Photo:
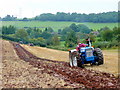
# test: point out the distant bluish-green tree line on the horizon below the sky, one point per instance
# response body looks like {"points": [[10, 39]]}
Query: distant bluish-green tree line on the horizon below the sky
{"points": [[105, 17]]}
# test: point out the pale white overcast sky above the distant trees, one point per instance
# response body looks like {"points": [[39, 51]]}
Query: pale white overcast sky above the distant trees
{"points": [[32, 8]]}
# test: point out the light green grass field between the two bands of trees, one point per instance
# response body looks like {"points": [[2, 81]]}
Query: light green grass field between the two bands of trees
{"points": [[55, 25]]}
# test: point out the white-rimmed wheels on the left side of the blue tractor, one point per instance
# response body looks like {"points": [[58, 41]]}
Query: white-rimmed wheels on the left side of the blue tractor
{"points": [[74, 59]]}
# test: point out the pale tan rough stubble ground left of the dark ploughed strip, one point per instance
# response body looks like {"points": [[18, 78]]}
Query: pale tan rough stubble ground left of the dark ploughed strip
{"points": [[17, 73]]}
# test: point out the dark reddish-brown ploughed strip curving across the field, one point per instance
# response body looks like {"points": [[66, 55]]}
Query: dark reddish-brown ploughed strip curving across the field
{"points": [[73, 75]]}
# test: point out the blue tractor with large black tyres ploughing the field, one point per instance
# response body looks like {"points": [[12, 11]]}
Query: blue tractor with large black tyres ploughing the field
{"points": [[86, 55]]}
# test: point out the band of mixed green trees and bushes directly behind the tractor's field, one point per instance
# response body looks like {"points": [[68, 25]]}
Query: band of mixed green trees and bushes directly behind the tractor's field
{"points": [[103, 38]]}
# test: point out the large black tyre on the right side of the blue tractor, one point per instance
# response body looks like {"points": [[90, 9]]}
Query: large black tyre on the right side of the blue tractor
{"points": [[99, 56]]}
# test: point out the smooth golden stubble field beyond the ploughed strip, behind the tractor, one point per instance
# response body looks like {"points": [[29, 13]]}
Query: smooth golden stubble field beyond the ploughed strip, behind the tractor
{"points": [[110, 58]]}
